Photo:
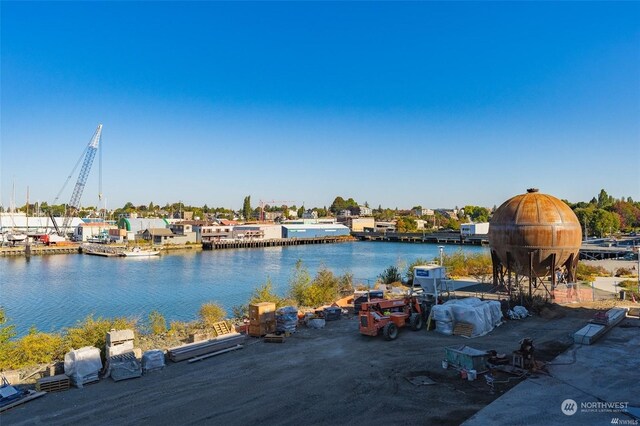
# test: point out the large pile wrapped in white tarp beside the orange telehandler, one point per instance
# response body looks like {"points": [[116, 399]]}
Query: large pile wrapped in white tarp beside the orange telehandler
{"points": [[483, 315]]}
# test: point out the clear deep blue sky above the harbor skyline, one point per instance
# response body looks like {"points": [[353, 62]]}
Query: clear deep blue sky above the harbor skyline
{"points": [[399, 104]]}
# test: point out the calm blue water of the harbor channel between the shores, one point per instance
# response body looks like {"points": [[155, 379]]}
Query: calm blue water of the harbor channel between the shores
{"points": [[56, 291]]}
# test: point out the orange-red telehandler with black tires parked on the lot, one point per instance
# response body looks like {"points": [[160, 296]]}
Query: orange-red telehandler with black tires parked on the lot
{"points": [[389, 316]]}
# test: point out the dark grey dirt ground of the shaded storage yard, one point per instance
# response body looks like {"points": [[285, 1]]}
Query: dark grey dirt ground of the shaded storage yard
{"points": [[328, 376]]}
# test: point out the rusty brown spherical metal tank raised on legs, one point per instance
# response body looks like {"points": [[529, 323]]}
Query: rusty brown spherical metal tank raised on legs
{"points": [[534, 223]]}
